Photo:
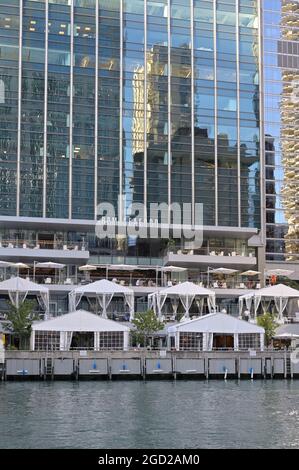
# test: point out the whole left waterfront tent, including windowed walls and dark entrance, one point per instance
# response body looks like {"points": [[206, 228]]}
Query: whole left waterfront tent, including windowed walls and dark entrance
{"points": [[79, 330]]}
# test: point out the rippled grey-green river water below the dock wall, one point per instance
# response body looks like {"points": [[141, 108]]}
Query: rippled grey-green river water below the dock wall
{"points": [[158, 414]]}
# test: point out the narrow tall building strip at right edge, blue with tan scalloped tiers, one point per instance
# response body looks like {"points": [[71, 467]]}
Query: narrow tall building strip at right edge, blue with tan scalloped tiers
{"points": [[281, 103]]}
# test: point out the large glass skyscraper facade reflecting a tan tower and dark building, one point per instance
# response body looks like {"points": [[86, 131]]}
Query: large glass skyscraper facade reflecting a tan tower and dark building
{"points": [[157, 100]]}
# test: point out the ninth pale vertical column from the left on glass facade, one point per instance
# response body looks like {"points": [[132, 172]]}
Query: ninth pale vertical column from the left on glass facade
{"points": [[215, 116]]}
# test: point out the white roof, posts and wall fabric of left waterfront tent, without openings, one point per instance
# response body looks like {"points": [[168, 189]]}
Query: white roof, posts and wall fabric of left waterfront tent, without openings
{"points": [[79, 321]]}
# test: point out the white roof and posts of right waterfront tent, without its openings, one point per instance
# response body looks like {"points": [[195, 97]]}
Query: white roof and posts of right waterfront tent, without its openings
{"points": [[216, 323]]}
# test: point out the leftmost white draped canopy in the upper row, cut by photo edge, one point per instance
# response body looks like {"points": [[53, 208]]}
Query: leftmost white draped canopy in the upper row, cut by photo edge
{"points": [[18, 288]]}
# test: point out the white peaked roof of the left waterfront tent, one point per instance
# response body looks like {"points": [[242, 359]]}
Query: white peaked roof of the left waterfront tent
{"points": [[80, 320]]}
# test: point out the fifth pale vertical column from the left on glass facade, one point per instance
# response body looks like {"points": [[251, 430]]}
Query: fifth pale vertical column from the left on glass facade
{"points": [[121, 80]]}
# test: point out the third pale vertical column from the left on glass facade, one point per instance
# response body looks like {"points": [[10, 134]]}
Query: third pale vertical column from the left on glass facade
{"points": [[71, 112]]}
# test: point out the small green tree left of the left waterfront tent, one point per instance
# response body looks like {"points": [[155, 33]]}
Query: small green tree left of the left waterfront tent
{"points": [[21, 318]]}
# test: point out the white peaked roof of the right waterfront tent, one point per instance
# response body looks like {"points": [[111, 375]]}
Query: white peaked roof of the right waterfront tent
{"points": [[217, 323]]}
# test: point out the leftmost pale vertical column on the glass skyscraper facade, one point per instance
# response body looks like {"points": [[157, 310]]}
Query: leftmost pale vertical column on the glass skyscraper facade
{"points": [[19, 107]]}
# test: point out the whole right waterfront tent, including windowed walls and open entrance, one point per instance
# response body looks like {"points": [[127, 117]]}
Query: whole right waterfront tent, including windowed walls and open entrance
{"points": [[215, 331]]}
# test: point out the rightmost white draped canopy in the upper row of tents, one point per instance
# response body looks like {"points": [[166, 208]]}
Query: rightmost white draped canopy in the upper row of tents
{"points": [[278, 293]]}
